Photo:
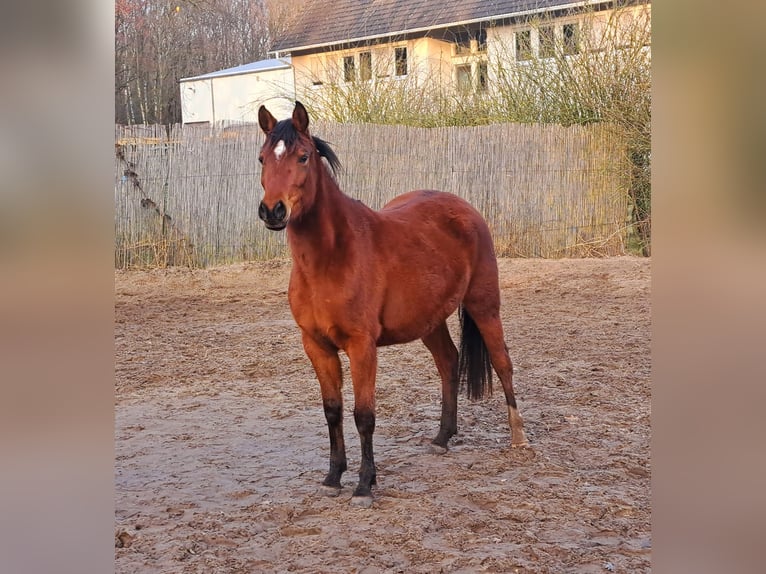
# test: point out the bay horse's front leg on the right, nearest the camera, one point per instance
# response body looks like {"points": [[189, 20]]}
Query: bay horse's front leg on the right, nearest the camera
{"points": [[363, 359]]}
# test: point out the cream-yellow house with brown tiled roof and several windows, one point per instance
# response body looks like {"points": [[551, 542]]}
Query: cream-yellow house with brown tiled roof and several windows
{"points": [[452, 45]]}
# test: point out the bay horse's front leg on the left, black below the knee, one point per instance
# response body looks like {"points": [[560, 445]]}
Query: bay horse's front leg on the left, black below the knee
{"points": [[328, 370]]}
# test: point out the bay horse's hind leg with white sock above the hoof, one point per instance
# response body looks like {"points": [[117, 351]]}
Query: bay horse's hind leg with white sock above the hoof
{"points": [[486, 314]]}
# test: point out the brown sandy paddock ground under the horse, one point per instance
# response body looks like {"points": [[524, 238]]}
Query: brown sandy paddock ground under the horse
{"points": [[221, 442]]}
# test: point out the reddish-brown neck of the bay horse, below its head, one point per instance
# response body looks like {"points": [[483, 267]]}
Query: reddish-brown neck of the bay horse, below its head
{"points": [[327, 228]]}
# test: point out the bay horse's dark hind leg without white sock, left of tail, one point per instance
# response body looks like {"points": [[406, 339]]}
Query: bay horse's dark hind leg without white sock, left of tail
{"points": [[445, 356]]}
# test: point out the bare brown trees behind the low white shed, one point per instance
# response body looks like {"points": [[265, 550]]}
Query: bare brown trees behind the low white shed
{"points": [[158, 42]]}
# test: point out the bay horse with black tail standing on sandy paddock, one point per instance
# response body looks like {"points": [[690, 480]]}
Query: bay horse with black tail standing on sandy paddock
{"points": [[362, 279]]}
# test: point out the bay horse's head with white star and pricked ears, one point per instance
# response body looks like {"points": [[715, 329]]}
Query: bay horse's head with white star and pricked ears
{"points": [[291, 167]]}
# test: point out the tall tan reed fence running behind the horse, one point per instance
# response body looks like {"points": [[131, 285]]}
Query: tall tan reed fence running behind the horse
{"points": [[188, 195]]}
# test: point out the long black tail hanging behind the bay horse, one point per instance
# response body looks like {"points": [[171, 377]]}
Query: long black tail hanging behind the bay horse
{"points": [[474, 368]]}
